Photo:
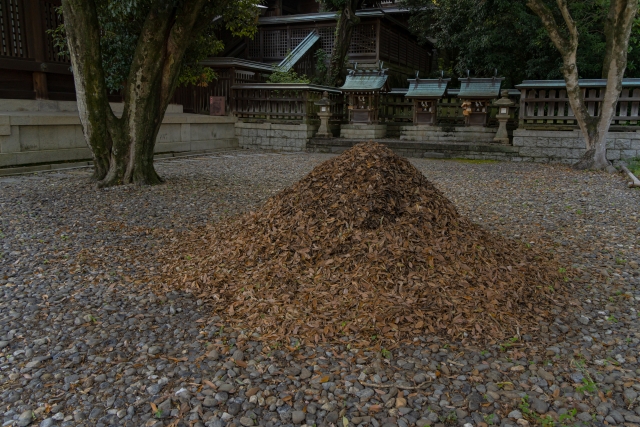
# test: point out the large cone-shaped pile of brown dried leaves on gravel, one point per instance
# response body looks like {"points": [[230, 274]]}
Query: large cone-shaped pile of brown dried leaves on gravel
{"points": [[365, 246]]}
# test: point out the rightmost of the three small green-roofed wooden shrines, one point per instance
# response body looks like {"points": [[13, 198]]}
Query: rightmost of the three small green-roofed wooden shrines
{"points": [[476, 95]]}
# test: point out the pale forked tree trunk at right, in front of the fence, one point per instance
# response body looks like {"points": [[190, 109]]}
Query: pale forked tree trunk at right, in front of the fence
{"points": [[564, 35]]}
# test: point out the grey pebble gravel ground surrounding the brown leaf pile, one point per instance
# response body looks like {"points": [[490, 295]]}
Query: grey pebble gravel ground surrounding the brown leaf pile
{"points": [[83, 342]]}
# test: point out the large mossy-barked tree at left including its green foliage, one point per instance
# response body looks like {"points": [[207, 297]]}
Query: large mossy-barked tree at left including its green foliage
{"points": [[142, 49]]}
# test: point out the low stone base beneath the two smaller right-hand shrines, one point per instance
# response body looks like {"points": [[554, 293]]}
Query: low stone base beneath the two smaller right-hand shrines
{"points": [[439, 134]]}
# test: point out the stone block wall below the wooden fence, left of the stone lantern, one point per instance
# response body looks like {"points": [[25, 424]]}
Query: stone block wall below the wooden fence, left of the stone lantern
{"points": [[274, 136]]}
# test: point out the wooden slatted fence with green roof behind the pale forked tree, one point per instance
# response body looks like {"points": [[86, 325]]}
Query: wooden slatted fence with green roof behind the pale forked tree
{"points": [[544, 104]]}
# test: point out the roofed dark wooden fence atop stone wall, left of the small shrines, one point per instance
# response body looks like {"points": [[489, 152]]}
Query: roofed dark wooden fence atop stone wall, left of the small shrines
{"points": [[283, 102]]}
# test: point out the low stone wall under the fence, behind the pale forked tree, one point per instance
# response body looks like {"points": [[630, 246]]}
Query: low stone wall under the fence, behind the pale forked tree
{"points": [[569, 146]]}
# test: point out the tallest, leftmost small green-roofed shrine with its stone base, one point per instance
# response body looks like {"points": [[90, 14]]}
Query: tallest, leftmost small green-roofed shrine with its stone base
{"points": [[363, 88]]}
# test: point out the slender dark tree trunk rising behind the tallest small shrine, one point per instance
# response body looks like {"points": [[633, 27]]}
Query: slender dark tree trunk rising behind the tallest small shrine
{"points": [[344, 29]]}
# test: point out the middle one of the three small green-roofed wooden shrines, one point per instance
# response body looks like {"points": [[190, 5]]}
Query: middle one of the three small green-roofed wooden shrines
{"points": [[425, 94]]}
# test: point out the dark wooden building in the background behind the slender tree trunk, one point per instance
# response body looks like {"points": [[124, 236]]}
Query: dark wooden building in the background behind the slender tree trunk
{"points": [[382, 35]]}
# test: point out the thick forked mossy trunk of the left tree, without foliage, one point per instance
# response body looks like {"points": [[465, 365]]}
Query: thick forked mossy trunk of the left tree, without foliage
{"points": [[123, 147]]}
